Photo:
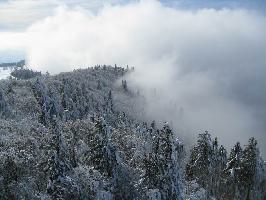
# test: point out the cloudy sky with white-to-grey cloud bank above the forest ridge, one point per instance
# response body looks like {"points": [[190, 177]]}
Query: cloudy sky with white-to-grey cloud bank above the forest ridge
{"points": [[199, 64]]}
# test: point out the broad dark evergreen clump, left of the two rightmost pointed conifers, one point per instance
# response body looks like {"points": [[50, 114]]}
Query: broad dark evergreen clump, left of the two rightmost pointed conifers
{"points": [[206, 165]]}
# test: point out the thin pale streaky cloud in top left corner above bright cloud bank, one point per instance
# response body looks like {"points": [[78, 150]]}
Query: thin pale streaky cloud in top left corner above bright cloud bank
{"points": [[18, 14]]}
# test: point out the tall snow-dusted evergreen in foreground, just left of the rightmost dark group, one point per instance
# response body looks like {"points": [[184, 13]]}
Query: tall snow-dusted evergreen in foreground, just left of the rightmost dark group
{"points": [[162, 170]]}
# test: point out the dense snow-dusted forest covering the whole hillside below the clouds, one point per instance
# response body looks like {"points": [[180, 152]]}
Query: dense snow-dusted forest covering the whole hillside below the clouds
{"points": [[73, 136]]}
